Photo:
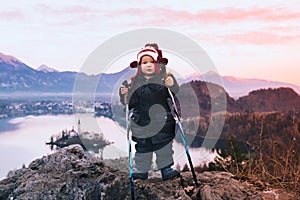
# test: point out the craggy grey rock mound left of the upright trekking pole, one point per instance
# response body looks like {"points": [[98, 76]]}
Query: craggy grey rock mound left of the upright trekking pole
{"points": [[66, 174]]}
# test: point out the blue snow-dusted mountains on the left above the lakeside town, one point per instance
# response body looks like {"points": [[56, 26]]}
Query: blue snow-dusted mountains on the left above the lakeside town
{"points": [[16, 76]]}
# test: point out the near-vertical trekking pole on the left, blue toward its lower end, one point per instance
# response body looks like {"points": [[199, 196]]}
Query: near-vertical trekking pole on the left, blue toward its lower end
{"points": [[125, 83]]}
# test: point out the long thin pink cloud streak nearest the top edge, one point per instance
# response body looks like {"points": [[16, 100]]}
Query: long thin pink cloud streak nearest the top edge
{"points": [[224, 15]]}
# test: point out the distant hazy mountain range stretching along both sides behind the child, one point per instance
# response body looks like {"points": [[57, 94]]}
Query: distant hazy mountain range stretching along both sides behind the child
{"points": [[16, 76]]}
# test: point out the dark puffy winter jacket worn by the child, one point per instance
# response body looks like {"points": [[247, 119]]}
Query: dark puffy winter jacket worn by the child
{"points": [[144, 94]]}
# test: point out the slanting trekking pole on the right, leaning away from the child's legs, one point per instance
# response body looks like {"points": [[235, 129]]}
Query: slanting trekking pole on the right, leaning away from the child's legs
{"points": [[177, 118]]}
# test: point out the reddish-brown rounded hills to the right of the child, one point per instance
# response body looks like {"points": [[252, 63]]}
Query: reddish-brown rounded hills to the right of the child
{"points": [[209, 95]]}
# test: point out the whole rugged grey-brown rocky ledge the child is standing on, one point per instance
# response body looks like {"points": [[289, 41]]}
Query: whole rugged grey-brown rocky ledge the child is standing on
{"points": [[73, 174]]}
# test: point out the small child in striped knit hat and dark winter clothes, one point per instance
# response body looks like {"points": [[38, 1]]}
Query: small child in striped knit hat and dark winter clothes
{"points": [[152, 124]]}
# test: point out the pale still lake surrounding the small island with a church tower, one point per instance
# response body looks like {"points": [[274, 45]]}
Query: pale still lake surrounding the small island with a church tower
{"points": [[23, 139]]}
